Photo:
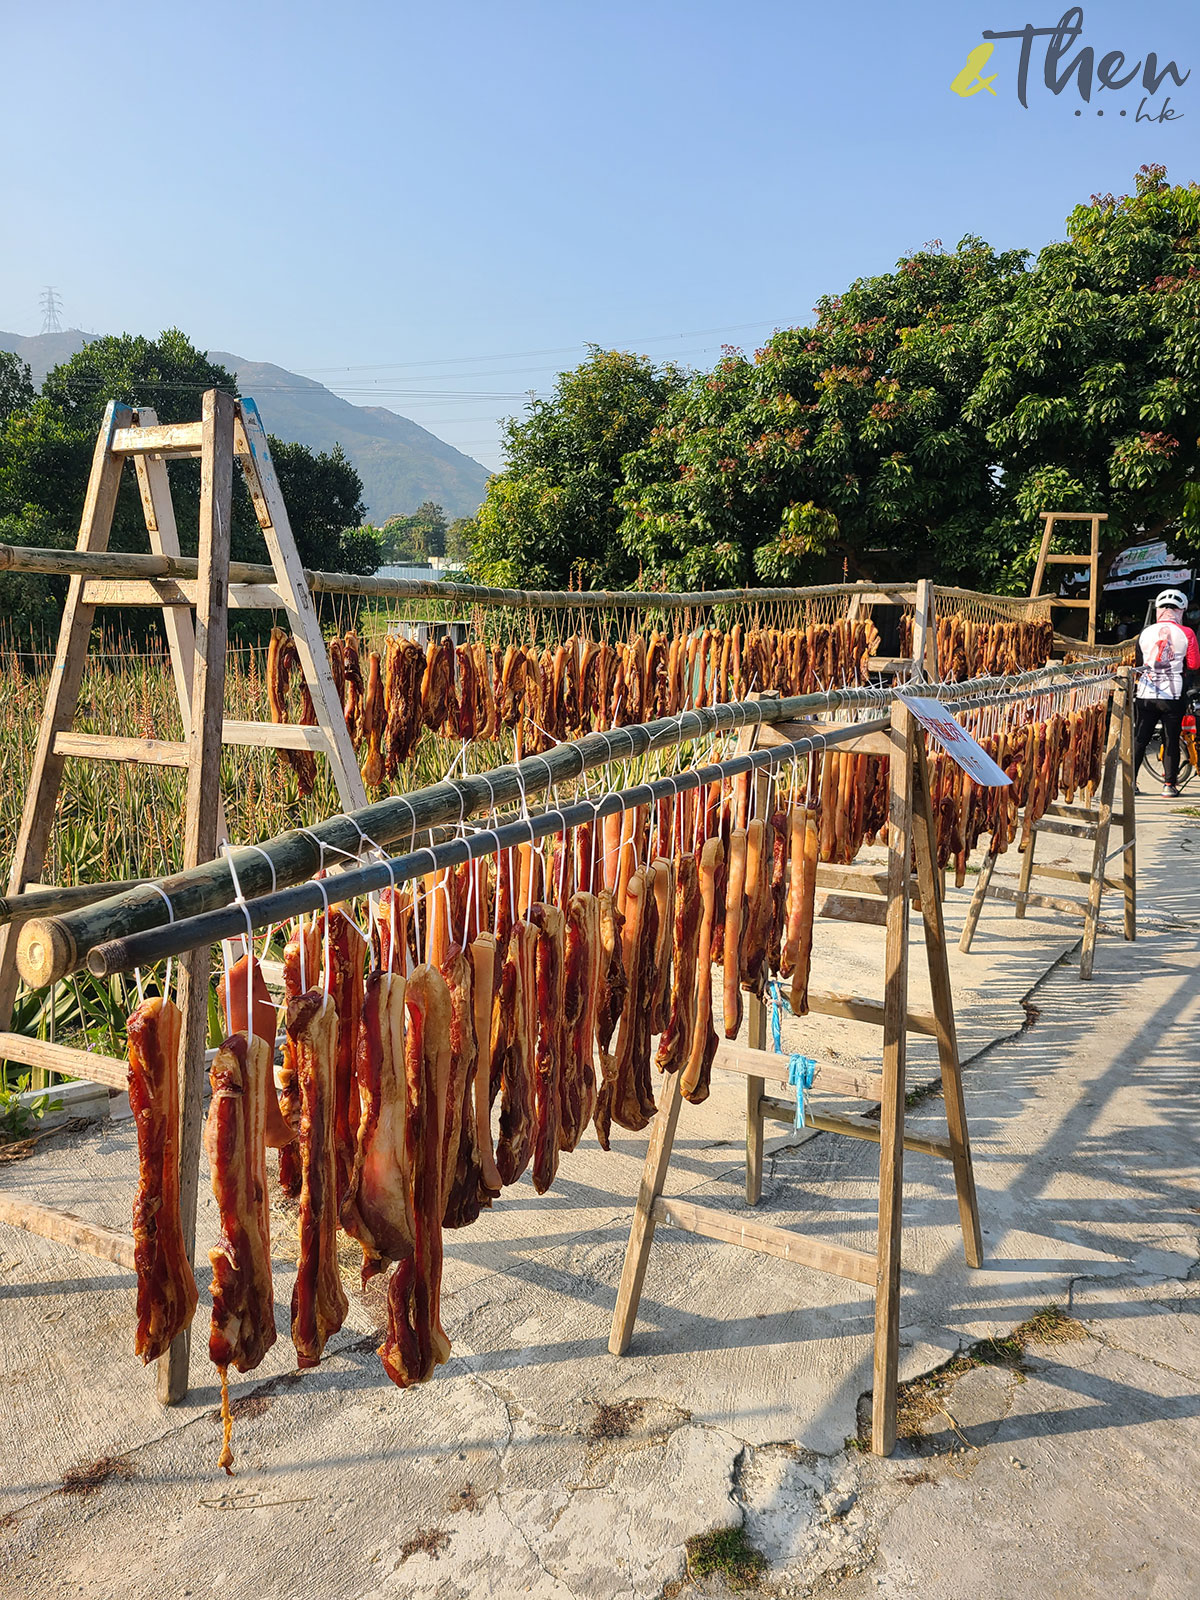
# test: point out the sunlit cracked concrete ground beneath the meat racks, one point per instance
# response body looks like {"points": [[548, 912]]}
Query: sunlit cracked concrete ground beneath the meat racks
{"points": [[1058, 1463]]}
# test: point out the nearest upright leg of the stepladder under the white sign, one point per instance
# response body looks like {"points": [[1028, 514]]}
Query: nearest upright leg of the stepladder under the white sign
{"points": [[892, 1121]]}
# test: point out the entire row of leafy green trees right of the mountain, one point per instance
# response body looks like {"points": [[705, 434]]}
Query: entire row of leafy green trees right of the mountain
{"points": [[916, 426]]}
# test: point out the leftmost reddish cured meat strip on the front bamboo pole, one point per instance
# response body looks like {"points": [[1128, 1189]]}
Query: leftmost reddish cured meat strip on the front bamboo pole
{"points": [[167, 1295]]}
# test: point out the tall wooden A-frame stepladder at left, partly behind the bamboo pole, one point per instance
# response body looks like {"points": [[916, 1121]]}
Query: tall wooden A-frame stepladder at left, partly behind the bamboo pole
{"points": [[230, 431]]}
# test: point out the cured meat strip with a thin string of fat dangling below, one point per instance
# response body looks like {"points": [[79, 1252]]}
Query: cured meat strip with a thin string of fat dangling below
{"points": [[244, 1298]]}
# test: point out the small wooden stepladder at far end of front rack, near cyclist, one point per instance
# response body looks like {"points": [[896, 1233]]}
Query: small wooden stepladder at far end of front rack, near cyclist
{"points": [[1082, 822]]}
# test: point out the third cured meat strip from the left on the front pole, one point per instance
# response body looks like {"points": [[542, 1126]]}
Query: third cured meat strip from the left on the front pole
{"points": [[318, 1298]]}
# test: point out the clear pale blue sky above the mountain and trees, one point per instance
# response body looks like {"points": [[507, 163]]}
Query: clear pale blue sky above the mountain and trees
{"points": [[436, 207]]}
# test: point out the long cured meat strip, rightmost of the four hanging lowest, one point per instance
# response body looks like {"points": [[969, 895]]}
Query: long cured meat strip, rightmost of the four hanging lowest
{"points": [[417, 1343]]}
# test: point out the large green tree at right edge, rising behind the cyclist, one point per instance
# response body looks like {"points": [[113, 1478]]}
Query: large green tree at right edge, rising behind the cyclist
{"points": [[1090, 394]]}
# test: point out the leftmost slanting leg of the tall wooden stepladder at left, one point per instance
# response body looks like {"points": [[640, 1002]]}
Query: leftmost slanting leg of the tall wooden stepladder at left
{"points": [[46, 775]]}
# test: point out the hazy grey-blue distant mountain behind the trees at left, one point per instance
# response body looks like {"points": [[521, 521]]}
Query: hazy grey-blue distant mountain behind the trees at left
{"points": [[401, 463]]}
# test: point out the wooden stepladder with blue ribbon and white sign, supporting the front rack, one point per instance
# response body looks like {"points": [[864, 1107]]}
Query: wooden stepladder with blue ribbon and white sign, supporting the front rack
{"points": [[911, 836]]}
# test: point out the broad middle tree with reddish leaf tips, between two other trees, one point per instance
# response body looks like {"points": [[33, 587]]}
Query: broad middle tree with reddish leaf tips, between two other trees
{"points": [[839, 444]]}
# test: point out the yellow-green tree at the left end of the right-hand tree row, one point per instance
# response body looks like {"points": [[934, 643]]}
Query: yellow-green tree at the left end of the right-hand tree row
{"points": [[551, 518]]}
